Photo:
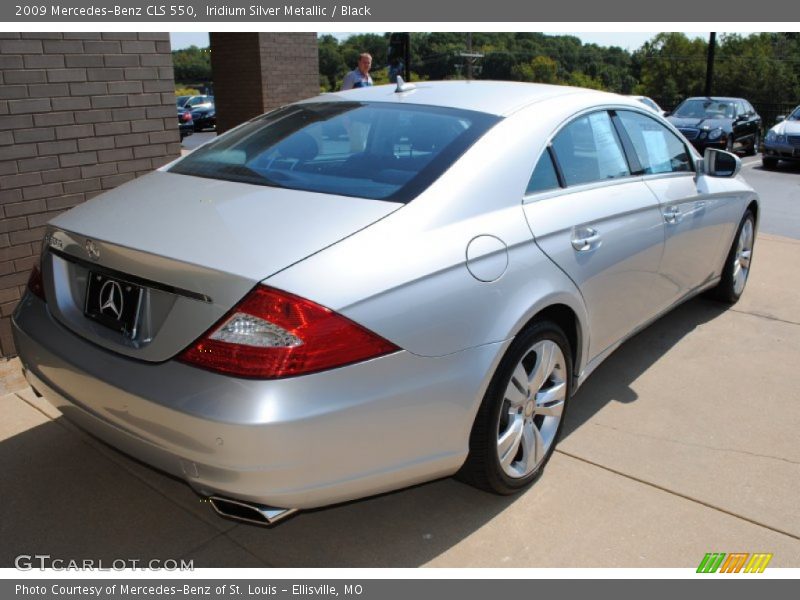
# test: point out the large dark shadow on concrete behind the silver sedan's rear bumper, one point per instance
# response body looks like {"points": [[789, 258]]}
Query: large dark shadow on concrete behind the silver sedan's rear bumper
{"points": [[72, 497]]}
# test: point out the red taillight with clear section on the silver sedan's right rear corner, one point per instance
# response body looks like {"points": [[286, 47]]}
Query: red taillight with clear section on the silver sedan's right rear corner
{"points": [[273, 334]]}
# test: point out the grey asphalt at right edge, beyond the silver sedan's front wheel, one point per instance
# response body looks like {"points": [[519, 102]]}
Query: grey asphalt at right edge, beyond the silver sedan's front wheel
{"points": [[780, 196]]}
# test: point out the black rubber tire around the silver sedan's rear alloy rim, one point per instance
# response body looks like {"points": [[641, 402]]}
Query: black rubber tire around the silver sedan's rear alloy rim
{"points": [[482, 468]]}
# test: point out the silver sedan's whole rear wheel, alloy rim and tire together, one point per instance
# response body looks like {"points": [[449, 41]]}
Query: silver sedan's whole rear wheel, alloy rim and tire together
{"points": [[519, 422]]}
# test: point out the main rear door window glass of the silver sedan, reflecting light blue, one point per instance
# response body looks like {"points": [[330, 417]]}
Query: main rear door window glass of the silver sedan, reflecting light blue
{"points": [[588, 150]]}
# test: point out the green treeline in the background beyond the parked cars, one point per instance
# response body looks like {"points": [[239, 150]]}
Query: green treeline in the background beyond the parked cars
{"points": [[761, 67]]}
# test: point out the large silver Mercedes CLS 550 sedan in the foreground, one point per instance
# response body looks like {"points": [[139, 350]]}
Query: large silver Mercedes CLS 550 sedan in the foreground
{"points": [[375, 288]]}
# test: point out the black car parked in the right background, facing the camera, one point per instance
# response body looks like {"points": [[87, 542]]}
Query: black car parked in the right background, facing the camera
{"points": [[728, 123]]}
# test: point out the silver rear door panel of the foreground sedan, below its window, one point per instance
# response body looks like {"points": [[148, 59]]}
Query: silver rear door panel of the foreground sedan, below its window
{"points": [[618, 274]]}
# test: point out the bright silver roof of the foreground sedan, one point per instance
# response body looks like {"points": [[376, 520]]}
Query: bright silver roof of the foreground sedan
{"points": [[495, 97]]}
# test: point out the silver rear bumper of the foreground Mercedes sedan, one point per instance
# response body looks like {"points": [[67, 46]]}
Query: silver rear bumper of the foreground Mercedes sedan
{"points": [[295, 443]]}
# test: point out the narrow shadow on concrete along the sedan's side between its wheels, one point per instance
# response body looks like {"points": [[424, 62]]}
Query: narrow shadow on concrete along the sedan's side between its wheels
{"points": [[611, 381]]}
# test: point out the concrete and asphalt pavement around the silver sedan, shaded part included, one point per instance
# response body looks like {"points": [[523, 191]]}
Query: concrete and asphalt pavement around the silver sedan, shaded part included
{"points": [[683, 442]]}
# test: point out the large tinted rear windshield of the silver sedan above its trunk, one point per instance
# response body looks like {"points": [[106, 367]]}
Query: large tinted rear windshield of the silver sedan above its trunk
{"points": [[380, 151]]}
